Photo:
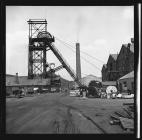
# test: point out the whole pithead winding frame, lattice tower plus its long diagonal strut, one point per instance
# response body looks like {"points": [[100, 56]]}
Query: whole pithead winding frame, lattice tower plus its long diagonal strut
{"points": [[40, 41]]}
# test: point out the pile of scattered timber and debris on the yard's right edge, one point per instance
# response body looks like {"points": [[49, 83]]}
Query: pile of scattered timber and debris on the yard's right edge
{"points": [[124, 118]]}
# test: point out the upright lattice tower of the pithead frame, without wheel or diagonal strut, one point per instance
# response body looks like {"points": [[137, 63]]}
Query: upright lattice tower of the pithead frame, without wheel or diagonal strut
{"points": [[37, 49]]}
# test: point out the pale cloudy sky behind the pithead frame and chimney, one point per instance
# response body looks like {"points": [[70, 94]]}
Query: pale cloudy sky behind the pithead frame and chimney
{"points": [[100, 30]]}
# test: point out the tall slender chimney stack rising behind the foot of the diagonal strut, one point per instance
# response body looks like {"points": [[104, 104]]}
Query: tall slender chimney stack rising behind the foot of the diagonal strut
{"points": [[78, 65]]}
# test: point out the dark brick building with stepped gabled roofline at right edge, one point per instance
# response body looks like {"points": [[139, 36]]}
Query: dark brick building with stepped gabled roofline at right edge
{"points": [[120, 64]]}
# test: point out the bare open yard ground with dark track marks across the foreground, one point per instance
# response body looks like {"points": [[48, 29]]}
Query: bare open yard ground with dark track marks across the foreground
{"points": [[59, 113]]}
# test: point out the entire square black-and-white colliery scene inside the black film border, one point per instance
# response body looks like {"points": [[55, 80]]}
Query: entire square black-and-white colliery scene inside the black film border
{"points": [[70, 70]]}
